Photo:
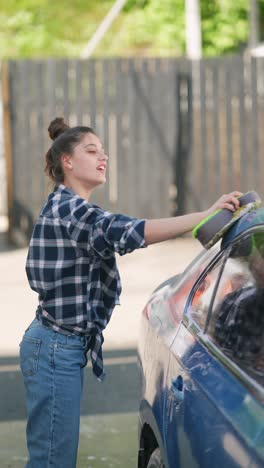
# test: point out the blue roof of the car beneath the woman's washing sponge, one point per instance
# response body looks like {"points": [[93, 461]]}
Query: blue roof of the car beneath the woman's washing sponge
{"points": [[246, 222]]}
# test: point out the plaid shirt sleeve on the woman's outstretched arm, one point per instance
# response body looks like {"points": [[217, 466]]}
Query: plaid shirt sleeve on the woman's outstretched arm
{"points": [[105, 232]]}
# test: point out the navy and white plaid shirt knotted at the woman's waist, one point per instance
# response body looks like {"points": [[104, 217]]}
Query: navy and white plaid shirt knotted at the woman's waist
{"points": [[71, 264]]}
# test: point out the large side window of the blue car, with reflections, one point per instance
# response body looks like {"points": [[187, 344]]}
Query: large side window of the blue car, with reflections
{"points": [[237, 318]]}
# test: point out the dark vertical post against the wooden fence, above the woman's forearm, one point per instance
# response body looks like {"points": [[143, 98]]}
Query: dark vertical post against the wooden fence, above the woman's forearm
{"points": [[184, 138]]}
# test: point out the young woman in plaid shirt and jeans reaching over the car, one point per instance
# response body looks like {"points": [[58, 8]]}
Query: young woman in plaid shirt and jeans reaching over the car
{"points": [[71, 265]]}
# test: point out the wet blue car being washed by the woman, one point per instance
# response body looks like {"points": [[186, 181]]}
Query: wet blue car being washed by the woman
{"points": [[201, 355]]}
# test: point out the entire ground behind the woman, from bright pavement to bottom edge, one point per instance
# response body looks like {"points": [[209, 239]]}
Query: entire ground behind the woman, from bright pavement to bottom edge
{"points": [[109, 410]]}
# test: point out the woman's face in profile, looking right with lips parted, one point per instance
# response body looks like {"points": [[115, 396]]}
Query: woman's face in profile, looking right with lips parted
{"points": [[88, 162]]}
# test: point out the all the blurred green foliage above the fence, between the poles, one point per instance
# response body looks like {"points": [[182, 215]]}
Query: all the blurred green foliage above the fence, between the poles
{"points": [[37, 28]]}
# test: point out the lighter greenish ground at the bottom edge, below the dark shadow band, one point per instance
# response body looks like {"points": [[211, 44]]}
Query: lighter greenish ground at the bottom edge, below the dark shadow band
{"points": [[106, 441]]}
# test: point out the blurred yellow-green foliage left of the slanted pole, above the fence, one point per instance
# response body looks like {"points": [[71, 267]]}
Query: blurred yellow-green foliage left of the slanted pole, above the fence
{"points": [[31, 28]]}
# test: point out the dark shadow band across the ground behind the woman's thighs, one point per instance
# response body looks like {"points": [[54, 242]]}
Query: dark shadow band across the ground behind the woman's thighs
{"points": [[119, 393]]}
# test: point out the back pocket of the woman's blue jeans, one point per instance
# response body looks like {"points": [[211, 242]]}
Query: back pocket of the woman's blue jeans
{"points": [[29, 355]]}
